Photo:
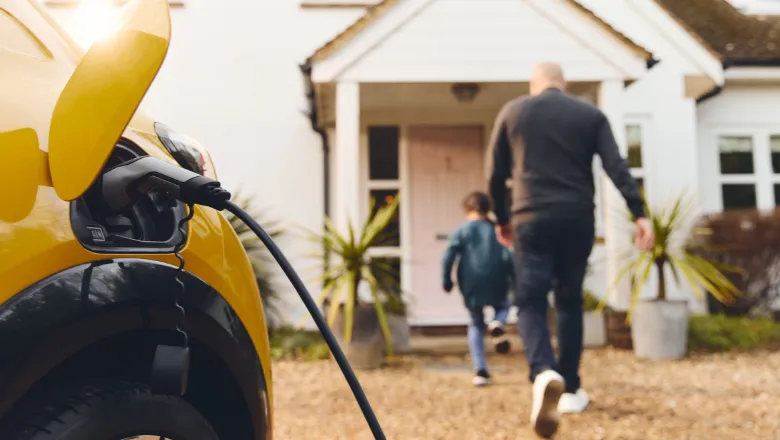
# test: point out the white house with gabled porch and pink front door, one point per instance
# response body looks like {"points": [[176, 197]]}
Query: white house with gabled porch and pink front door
{"points": [[316, 106]]}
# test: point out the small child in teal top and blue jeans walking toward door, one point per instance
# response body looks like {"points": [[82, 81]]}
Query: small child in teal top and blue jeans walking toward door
{"points": [[484, 273]]}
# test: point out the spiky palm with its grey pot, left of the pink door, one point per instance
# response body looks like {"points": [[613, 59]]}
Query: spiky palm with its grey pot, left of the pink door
{"points": [[360, 325]]}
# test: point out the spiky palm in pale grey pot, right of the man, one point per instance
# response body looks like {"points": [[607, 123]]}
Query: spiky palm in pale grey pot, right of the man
{"points": [[659, 327]]}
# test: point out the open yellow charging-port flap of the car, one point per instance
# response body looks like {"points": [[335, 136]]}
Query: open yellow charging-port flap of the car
{"points": [[103, 93]]}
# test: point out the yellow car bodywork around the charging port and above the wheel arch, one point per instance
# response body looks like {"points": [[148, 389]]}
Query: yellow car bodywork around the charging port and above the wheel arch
{"points": [[36, 236]]}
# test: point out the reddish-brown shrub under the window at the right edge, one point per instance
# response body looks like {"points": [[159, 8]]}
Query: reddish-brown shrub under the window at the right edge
{"points": [[750, 240]]}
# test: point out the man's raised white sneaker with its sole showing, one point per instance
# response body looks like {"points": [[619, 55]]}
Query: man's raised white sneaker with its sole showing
{"points": [[548, 387]]}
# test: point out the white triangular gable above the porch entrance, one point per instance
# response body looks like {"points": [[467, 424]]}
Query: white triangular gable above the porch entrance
{"points": [[476, 40]]}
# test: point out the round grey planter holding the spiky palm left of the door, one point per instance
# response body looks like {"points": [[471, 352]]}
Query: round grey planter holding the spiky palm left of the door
{"points": [[366, 350]]}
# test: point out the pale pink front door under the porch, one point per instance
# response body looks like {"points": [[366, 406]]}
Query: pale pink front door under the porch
{"points": [[446, 163]]}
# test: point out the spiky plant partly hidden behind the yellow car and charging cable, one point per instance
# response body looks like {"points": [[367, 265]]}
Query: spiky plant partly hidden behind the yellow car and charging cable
{"points": [[262, 261]]}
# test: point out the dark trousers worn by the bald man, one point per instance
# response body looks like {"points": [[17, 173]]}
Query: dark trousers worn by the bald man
{"points": [[552, 253]]}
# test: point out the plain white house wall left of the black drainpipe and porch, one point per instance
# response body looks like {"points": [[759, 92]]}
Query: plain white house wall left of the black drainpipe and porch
{"points": [[231, 80]]}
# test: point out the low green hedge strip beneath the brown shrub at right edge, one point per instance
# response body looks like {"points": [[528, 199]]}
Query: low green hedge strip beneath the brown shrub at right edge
{"points": [[724, 333]]}
